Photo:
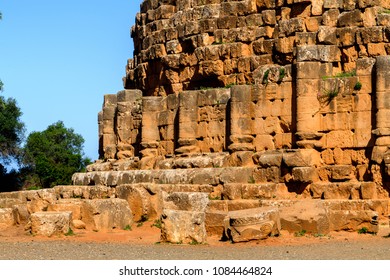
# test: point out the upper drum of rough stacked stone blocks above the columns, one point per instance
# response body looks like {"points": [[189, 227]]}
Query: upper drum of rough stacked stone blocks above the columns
{"points": [[184, 45]]}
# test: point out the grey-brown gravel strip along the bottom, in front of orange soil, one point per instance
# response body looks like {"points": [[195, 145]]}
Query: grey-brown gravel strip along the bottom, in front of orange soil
{"points": [[67, 250]]}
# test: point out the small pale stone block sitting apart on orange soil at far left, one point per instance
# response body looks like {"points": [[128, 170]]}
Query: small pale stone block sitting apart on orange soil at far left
{"points": [[50, 223]]}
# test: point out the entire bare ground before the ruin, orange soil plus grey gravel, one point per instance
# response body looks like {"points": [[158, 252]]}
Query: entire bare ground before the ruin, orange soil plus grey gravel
{"points": [[143, 243]]}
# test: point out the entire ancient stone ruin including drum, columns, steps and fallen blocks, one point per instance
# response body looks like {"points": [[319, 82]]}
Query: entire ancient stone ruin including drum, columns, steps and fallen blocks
{"points": [[240, 119]]}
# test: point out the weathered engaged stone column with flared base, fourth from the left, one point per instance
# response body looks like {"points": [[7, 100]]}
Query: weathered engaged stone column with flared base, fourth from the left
{"points": [[188, 122]]}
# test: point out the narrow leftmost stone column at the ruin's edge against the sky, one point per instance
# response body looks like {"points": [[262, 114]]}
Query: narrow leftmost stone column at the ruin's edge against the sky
{"points": [[108, 140]]}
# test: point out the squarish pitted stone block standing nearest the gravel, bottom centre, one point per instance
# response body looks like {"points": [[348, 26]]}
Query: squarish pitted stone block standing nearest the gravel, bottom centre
{"points": [[183, 226]]}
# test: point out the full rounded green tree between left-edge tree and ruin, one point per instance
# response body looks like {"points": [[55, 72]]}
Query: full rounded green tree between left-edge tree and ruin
{"points": [[54, 155]]}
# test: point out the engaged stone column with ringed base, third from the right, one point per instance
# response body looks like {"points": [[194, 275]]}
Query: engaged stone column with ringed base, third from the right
{"points": [[241, 137]]}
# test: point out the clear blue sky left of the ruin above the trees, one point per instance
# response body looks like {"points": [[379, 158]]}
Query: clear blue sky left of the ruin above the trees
{"points": [[58, 59]]}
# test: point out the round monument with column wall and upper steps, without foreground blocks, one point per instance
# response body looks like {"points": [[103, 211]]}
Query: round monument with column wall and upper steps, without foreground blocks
{"points": [[294, 92]]}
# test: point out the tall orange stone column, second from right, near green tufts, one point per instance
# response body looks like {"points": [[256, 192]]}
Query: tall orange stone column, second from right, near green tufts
{"points": [[308, 86]]}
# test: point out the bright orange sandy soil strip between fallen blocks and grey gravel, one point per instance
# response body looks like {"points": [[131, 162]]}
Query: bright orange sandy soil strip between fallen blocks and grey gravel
{"points": [[147, 234]]}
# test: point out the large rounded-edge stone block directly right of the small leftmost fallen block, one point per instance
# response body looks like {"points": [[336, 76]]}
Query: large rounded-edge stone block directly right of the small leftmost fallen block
{"points": [[106, 214]]}
